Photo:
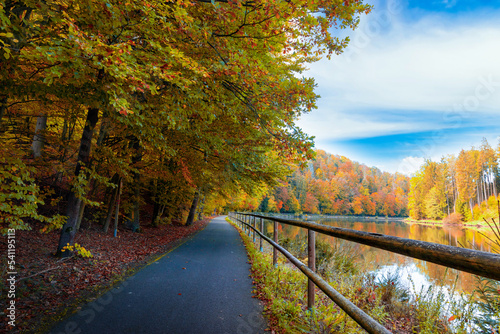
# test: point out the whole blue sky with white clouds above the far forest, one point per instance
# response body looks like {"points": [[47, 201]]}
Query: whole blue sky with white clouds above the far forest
{"points": [[419, 80]]}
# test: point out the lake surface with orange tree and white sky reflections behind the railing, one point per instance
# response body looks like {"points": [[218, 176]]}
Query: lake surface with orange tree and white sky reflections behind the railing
{"points": [[422, 273]]}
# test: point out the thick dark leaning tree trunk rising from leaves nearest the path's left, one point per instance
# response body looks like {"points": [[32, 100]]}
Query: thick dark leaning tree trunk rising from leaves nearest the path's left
{"points": [[73, 207]]}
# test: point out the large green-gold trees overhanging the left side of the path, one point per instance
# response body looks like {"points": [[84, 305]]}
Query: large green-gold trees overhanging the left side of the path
{"points": [[171, 99]]}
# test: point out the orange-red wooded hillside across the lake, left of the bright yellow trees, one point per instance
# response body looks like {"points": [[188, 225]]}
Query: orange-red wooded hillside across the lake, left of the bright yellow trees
{"points": [[333, 185]]}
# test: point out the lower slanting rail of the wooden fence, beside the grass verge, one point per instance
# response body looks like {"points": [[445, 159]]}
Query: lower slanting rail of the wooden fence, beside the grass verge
{"points": [[357, 314]]}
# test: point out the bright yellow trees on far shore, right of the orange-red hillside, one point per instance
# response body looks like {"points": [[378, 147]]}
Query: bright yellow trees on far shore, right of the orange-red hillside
{"points": [[462, 187]]}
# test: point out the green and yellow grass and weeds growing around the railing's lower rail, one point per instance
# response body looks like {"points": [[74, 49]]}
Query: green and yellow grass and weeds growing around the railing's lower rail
{"points": [[283, 290]]}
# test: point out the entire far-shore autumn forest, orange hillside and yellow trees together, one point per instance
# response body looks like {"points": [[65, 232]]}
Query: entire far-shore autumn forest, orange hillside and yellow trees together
{"points": [[457, 189]]}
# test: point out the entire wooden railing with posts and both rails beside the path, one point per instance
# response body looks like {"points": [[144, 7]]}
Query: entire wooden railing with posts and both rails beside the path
{"points": [[476, 262]]}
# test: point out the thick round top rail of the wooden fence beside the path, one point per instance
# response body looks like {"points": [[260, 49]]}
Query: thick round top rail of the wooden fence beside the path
{"points": [[472, 261]]}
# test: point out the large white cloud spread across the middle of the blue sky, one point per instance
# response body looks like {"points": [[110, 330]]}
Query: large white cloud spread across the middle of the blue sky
{"points": [[435, 64]]}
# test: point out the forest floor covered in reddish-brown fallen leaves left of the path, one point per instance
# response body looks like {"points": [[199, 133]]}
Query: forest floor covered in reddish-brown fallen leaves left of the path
{"points": [[47, 288]]}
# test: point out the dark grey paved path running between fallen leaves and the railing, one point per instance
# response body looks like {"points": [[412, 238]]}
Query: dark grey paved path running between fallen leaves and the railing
{"points": [[202, 287]]}
